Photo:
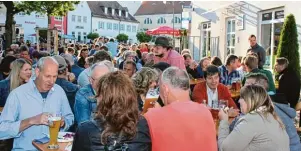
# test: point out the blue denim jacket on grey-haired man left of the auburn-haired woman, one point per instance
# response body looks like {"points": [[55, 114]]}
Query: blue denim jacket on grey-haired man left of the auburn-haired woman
{"points": [[85, 104]]}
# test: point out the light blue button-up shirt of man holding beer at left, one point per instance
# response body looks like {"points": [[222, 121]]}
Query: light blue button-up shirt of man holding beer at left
{"points": [[25, 102]]}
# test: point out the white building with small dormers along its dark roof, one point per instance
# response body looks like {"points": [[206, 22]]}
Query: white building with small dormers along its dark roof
{"points": [[109, 19]]}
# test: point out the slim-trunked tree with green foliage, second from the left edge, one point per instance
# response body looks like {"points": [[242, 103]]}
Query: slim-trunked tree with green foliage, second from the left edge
{"points": [[51, 8]]}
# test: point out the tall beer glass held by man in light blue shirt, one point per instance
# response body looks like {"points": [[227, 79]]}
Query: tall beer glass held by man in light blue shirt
{"points": [[54, 123]]}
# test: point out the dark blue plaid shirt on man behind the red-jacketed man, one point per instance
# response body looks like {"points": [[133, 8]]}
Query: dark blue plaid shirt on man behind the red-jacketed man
{"points": [[228, 79]]}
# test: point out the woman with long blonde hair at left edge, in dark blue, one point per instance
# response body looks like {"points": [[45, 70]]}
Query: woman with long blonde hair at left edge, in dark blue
{"points": [[20, 74]]}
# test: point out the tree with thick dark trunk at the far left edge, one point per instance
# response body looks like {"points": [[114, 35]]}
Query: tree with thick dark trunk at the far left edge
{"points": [[12, 8]]}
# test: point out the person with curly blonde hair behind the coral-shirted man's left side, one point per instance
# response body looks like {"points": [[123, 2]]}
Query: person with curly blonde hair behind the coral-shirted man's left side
{"points": [[145, 80]]}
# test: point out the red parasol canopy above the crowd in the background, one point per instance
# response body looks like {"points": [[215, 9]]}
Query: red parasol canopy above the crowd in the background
{"points": [[163, 30]]}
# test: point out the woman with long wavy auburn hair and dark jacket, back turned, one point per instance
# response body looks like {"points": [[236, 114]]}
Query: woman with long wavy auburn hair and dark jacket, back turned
{"points": [[117, 124]]}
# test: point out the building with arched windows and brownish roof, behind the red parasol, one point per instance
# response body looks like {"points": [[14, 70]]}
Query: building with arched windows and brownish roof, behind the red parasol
{"points": [[153, 14]]}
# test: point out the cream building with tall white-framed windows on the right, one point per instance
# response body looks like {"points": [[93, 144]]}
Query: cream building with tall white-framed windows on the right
{"points": [[224, 27]]}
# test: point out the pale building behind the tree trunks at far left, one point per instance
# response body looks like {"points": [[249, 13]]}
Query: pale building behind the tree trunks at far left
{"points": [[25, 24]]}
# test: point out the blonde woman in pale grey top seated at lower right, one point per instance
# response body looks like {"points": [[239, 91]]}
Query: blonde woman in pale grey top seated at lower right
{"points": [[259, 130]]}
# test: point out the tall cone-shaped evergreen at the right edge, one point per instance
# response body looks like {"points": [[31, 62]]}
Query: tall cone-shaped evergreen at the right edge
{"points": [[288, 43]]}
